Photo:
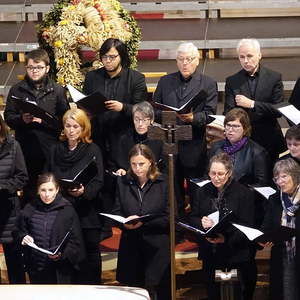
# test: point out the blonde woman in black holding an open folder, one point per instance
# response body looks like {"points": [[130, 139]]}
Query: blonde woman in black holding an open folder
{"points": [[65, 160]]}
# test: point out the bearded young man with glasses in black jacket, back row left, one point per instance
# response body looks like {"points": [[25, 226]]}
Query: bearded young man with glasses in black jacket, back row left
{"points": [[34, 135]]}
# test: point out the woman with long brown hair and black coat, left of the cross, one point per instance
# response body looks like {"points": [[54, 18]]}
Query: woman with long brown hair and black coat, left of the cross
{"points": [[144, 257]]}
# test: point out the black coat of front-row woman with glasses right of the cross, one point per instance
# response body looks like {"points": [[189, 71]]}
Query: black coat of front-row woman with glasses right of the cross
{"points": [[237, 248]]}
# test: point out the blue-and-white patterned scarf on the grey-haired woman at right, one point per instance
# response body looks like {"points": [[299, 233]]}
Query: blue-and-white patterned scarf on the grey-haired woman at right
{"points": [[290, 206]]}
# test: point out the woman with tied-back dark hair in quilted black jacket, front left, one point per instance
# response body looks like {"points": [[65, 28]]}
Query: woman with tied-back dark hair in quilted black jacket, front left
{"points": [[46, 221]]}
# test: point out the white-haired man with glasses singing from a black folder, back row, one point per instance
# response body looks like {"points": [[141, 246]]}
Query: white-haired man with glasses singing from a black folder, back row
{"points": [[175, 90]]}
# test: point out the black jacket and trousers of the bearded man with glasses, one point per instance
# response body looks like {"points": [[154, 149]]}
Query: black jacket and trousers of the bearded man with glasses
{"points": [[35, 139]]}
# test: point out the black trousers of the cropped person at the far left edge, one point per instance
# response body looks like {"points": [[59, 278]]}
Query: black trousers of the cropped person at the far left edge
{"points": [[14, 263]]}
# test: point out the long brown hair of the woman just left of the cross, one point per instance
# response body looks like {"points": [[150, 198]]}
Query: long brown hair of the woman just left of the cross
{"points": [[141, 149]]}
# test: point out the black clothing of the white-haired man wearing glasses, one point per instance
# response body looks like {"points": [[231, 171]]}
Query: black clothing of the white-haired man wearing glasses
{"points": [[193, 152]]}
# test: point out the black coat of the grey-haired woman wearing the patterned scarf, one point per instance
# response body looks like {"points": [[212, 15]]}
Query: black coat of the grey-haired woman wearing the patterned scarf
{"points": [[272, 221]]}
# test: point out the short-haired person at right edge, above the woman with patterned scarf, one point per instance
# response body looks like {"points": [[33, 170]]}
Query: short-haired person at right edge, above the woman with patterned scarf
{"points": [[292, 138]]}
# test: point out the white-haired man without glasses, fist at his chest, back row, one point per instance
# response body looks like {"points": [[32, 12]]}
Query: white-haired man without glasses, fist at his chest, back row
{"points": [[257, 89]]}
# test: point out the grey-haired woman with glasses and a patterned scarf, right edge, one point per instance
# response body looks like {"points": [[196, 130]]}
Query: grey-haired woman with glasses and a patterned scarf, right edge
{"points": [[284, 210]]}
